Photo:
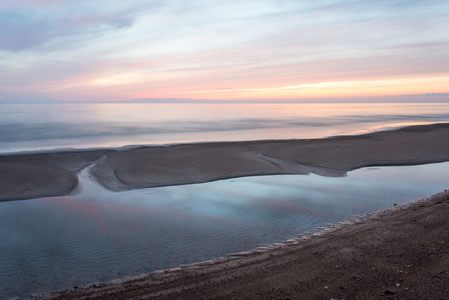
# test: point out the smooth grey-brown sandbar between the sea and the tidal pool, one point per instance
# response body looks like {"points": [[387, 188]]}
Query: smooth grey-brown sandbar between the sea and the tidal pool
{"points": [[26, 176]]}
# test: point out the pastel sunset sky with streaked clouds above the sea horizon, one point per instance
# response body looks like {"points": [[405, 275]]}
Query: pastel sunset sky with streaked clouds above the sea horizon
{"points": [[245, 50]]}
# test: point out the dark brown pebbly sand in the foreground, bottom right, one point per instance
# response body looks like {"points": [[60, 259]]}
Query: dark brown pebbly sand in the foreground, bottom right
{"points": [[391, 254]]}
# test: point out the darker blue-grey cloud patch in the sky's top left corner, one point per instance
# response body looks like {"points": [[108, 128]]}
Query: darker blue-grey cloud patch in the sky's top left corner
{"points": [[27, 24]]}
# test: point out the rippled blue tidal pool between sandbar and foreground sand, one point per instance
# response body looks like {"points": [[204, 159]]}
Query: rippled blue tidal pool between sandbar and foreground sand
{"points": [[98, 235]]}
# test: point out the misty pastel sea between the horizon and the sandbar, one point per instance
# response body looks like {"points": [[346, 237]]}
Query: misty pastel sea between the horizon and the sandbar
{"points": [[25, 127]]}
